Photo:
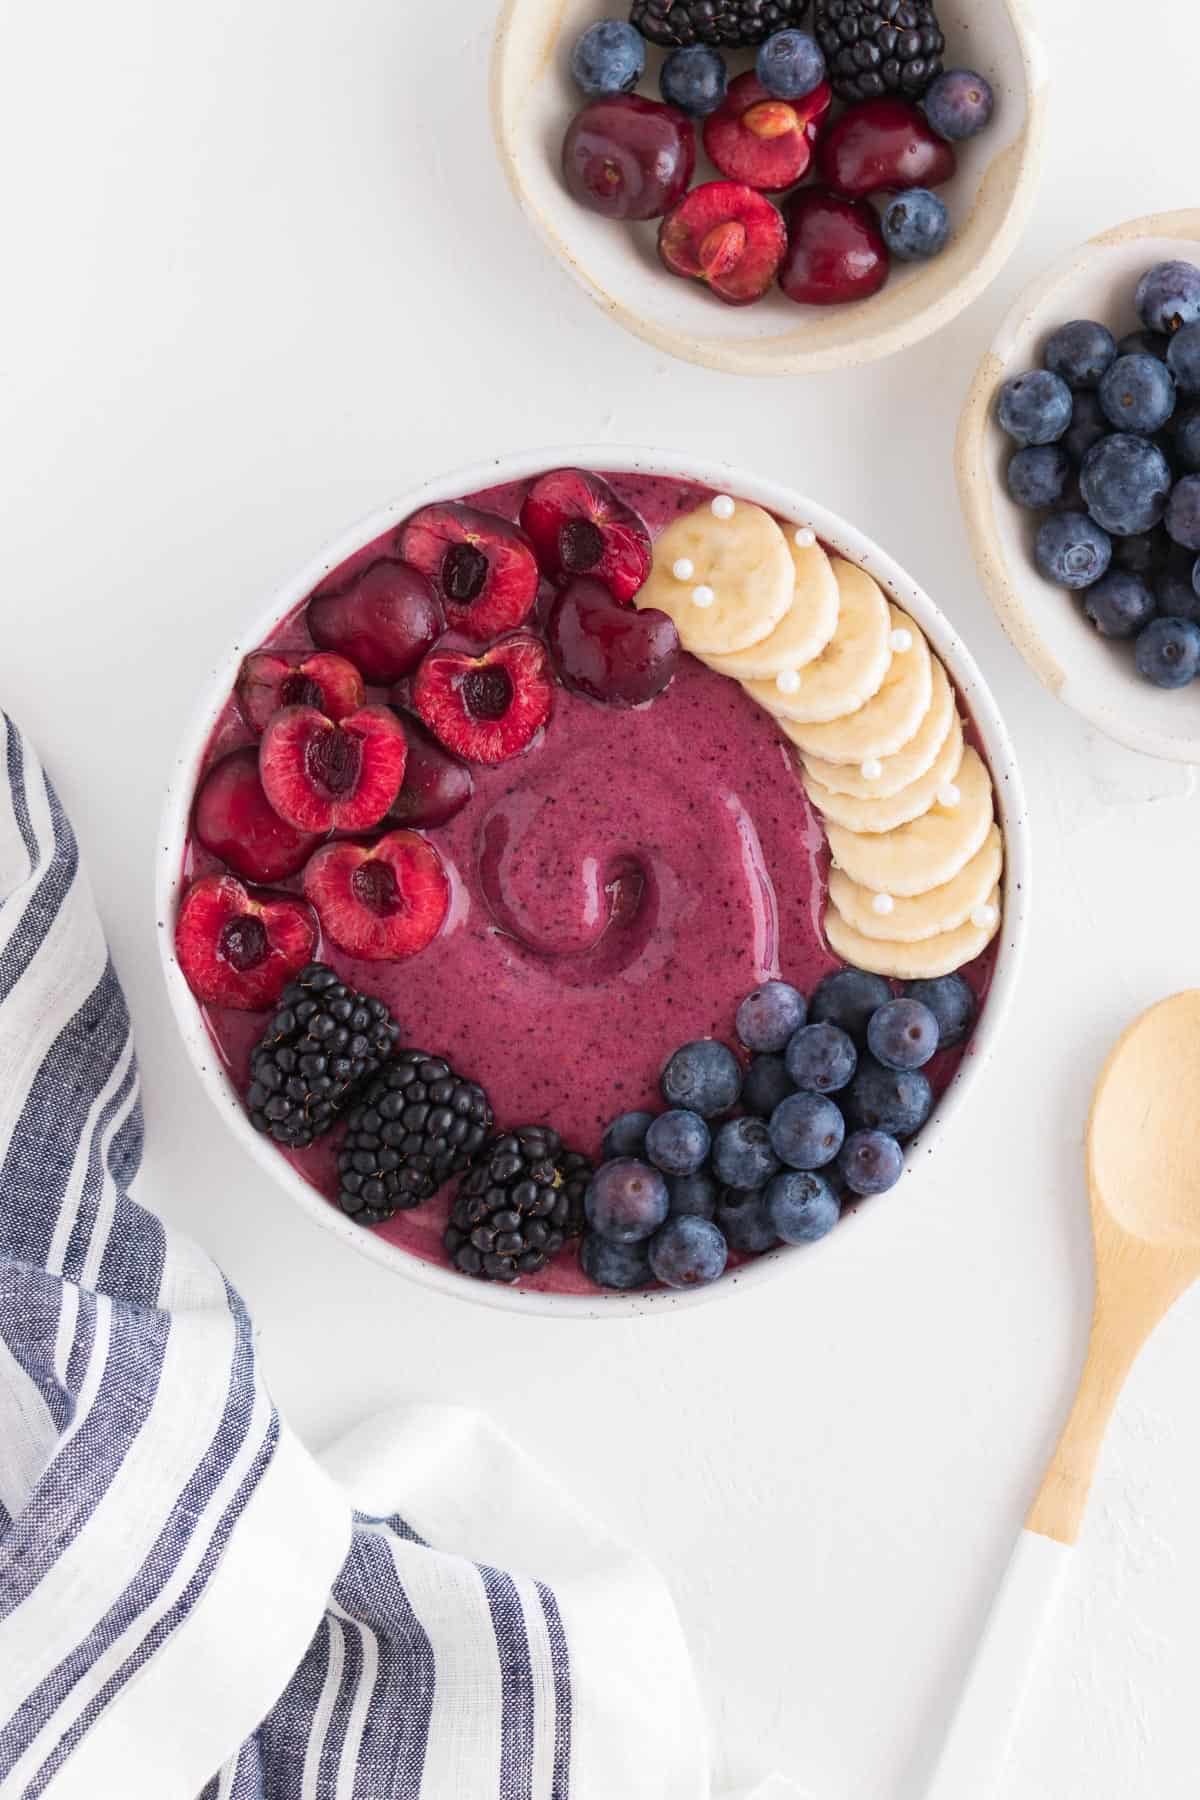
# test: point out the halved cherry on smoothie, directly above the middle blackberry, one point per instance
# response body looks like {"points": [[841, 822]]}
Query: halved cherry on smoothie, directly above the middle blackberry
{"points": [[381, 903]]}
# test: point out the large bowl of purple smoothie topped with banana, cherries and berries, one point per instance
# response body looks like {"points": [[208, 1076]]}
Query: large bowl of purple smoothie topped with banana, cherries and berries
{"points": [[591, 877]]}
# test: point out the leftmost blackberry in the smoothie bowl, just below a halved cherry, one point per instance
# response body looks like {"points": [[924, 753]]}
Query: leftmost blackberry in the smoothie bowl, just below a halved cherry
{"points": [[321, 1045]]}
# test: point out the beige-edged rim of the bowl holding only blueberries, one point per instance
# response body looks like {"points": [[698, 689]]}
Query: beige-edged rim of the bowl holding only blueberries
{"points": [[978, 492]]}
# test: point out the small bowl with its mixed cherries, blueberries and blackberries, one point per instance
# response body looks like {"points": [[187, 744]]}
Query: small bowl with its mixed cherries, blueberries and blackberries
{"points": [[775, 184]]}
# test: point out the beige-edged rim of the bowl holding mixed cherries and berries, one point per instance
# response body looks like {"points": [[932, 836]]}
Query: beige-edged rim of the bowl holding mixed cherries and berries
{"points": [[764, 357]]}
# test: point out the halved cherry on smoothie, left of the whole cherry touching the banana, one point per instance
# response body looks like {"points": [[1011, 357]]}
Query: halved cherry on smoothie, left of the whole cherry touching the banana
{"points": [[487, 708]]}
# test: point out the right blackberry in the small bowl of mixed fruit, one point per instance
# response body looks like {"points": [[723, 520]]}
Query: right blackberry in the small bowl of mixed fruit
{"points": [[881, 48]]}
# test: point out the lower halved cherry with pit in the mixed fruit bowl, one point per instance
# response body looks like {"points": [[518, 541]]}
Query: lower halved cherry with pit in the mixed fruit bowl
{"points": [[726, 235]]}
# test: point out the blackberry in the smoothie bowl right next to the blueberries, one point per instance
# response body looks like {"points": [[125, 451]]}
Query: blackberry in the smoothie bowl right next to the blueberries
{"points": [[517, 1207]]}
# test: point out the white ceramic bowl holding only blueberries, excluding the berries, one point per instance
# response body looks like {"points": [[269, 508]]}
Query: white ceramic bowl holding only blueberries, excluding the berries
{"points": [[1046, 624]]}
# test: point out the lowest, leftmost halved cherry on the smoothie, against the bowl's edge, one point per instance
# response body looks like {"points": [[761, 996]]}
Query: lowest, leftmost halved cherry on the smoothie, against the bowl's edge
{"points": [[242, 949]]}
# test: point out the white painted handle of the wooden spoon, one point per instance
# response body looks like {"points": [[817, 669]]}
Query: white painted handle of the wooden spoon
{"points": [[992, 1700]]}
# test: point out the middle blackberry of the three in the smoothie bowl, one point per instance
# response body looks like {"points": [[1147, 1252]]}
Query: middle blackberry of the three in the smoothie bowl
{"points": [[415, 1128]]}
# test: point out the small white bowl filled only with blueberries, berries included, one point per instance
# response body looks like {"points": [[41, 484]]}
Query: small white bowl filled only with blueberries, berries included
{"points": [[1080, 481]]}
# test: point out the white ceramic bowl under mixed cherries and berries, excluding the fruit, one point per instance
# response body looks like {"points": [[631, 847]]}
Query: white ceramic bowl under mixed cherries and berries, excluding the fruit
{"points": [[533, 102]]}
